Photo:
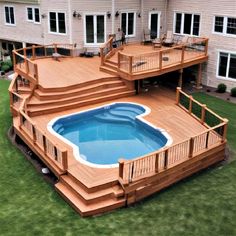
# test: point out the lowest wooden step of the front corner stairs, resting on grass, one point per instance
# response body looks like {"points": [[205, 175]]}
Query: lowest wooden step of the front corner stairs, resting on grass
{"points": [[91, 209]]}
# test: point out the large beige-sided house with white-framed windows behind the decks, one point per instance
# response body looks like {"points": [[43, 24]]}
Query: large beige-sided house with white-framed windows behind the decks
{"points": [[44, 22]]}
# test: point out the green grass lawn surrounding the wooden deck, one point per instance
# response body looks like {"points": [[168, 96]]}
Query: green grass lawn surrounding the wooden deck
{"points": [[204, 204]]}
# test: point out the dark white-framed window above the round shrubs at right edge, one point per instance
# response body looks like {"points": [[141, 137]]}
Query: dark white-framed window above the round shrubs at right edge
{"points": [[227, 65]]}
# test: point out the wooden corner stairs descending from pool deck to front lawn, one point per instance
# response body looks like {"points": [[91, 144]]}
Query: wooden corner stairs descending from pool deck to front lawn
{"points": [[89, 201]]}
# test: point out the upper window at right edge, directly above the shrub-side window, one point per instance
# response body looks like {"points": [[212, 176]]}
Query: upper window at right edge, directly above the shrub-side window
{"points": [[225, 25]]}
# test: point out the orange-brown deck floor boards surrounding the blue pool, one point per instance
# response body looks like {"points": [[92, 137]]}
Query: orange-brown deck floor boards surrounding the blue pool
{"points": [[164, 114]]}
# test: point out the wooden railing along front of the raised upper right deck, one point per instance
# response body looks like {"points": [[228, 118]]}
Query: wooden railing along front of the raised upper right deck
{"points": [[162, 59]]}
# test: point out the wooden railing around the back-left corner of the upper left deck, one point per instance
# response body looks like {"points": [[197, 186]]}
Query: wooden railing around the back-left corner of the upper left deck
{"points": [[23, 58]]}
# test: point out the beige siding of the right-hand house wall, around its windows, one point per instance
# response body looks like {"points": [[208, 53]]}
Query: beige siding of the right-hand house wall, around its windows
{"points": [[207, 10]]}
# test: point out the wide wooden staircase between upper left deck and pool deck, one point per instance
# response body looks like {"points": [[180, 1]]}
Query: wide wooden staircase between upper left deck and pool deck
{"points": [[48, 100]]}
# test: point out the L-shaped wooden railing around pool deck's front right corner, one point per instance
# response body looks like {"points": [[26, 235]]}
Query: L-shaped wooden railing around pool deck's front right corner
{"points": [[163, 159]]}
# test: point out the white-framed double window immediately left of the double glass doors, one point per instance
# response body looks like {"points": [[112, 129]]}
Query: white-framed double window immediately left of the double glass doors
{"points": [[57, 22]]}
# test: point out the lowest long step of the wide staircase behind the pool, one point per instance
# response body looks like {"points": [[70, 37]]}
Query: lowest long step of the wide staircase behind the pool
{"points": [[34, 111]]}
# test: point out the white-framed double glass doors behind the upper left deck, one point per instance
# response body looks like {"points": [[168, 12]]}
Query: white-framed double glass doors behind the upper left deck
{"points": [[94, 29]]}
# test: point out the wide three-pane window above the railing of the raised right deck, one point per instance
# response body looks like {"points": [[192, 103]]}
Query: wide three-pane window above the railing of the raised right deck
{"points": [[187, 23]]}
